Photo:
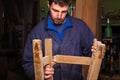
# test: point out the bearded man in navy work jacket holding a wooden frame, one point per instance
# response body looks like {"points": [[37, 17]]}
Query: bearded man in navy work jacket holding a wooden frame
{"points": [[70, 36]]}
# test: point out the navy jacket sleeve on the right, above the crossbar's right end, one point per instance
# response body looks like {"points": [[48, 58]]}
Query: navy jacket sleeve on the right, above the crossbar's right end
{"points": [[87, 40]]}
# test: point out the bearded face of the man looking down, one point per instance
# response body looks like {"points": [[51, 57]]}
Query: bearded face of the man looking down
{"points": [[58, 13]]}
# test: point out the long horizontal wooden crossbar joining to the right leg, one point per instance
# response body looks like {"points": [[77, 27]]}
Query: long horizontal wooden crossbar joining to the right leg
{"points": [[72, 59]]}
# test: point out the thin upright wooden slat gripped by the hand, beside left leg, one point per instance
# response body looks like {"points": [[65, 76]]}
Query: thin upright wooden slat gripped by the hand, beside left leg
{"points": [[48, 52]]}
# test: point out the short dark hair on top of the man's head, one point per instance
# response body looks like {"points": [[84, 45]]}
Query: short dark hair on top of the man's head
{"points": [[60, 2]]}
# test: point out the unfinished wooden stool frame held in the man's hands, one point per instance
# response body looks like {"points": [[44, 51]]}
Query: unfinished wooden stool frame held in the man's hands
{"points": [[94, 62]]}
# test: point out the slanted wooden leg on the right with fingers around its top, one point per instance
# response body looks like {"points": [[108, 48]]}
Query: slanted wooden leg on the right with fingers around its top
{"points": [[96, 62]]}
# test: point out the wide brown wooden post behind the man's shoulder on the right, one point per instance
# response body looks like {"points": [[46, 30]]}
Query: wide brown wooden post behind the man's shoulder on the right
{"points": [[88, 11]]}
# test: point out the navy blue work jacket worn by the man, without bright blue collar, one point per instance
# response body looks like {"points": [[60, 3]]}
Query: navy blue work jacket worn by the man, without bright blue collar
{"points": [[77, 41]]}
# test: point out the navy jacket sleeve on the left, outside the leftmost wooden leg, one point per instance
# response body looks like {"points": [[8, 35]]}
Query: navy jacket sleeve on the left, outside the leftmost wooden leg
{"points": [[28, 64]]}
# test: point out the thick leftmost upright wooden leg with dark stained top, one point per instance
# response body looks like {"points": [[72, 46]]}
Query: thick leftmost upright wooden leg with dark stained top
{"points": [[37, 57]]}
